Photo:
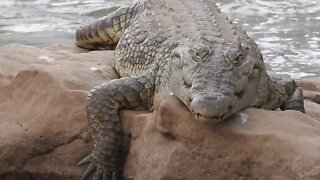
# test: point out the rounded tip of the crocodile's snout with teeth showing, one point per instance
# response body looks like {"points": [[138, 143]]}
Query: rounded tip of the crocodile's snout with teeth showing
{"points": [[211, 108]]}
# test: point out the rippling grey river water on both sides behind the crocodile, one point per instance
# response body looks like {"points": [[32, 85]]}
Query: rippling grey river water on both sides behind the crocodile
{"points": [[287, 31]]}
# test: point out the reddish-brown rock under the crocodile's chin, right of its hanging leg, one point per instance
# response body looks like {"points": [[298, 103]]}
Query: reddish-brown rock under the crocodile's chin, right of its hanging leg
{"points": [[260, 145]]}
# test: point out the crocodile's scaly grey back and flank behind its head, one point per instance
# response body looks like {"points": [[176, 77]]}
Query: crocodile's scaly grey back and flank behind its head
{"points": [[160, 25]]}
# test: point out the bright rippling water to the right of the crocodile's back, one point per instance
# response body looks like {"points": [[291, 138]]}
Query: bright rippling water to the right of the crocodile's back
{"points": [[286, 31]]}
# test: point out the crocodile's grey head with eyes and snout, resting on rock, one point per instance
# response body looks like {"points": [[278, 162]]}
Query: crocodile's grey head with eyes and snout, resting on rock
{"points": [[216, 81]]}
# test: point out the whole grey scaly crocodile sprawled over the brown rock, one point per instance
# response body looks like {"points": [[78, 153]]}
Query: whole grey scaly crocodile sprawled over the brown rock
{"points": [[186, 48]]}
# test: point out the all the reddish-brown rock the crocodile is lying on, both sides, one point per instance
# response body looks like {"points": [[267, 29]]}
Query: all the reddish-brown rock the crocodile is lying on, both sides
{"points": [[44, 133]]}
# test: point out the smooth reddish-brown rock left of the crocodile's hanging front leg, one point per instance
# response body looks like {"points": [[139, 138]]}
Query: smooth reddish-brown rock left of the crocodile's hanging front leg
{"points": [[43, 122]]}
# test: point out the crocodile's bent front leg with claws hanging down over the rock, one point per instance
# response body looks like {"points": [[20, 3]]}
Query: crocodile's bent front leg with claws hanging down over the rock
{"points": [[103, 105]]}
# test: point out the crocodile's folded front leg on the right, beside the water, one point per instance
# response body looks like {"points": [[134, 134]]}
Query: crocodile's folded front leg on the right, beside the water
{"points": [[286, 94]]}
